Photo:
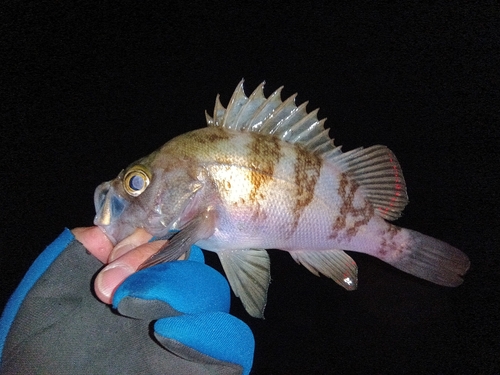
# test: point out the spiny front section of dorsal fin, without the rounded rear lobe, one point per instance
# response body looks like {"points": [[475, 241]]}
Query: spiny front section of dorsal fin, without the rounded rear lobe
{"points": [[271, 115]]}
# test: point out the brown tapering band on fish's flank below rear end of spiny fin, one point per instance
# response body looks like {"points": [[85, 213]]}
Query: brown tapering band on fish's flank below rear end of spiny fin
{"points": [[307, 171]]}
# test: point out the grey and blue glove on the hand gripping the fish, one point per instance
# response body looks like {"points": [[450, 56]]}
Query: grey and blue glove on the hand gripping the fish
{"points": [[168, 319]]}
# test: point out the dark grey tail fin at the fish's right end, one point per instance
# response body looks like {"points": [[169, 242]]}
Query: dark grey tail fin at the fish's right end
{"points": [[432, 260]]}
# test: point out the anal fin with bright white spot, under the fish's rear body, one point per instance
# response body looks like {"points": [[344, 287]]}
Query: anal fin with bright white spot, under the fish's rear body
{"points": [[335, 264]]}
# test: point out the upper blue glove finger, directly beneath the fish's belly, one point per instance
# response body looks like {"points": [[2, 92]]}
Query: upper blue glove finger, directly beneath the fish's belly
{"points": [[170, 289]]}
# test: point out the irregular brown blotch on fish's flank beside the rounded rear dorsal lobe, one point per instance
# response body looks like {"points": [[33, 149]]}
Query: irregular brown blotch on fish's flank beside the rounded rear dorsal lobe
{"points": [[347, 190]]}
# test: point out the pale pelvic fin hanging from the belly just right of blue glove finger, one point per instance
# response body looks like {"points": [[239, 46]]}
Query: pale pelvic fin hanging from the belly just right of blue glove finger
{"points": [[248, 273]]}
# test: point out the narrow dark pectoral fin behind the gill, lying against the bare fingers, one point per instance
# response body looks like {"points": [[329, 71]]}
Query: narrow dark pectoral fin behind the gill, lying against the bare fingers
{"points": [[200, 227]]}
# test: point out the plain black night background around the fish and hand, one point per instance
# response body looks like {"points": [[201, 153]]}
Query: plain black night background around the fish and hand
{"points": [[87, 88]]}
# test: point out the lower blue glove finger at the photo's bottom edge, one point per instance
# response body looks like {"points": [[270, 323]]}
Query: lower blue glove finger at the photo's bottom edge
{"points": [[204, 338]]}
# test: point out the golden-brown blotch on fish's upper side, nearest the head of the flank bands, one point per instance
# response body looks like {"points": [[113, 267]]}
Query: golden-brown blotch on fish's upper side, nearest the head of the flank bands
{"points": [[264, 155]]}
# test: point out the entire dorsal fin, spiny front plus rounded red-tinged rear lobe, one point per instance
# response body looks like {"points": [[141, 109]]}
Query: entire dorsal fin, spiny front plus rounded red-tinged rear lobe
{"points": [[375, 169]]}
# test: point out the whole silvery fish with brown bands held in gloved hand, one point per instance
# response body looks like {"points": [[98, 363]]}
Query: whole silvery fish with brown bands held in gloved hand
{"points": [[265, 174]]}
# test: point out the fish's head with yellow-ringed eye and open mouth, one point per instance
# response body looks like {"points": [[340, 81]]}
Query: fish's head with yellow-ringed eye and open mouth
{"points": [[157, 199]]}
